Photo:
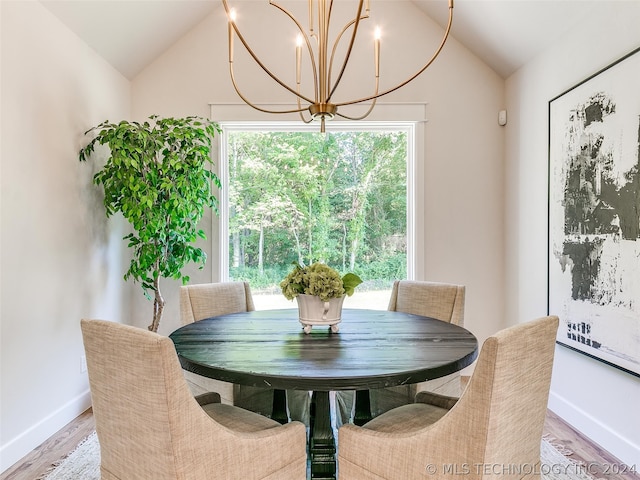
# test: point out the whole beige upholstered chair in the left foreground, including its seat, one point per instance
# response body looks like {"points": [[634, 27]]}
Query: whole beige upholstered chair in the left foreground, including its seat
{"points": [[150, 426]]}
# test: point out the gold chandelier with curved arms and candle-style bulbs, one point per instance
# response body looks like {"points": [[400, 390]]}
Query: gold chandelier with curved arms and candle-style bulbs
{"points": [[322, 51]]}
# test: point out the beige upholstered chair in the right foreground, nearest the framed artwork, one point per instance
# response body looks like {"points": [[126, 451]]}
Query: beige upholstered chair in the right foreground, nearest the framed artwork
{"points": [[497, 421]]}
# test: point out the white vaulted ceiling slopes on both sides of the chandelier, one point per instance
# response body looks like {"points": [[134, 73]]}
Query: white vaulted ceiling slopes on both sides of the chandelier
{"points": [[505, 34]]}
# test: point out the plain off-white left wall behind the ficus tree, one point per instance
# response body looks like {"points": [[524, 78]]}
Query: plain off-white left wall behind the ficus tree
{"points": [[60, 259]]}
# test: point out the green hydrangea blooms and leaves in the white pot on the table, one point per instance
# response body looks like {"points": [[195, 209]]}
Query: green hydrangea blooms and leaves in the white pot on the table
{"points": [[320, 280]]}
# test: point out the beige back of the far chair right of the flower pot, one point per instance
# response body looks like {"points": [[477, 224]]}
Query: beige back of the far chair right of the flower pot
{"points": [[442, 301]]}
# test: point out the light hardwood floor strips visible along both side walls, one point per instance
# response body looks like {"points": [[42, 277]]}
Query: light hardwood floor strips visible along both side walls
{"points": [[595, 459]]}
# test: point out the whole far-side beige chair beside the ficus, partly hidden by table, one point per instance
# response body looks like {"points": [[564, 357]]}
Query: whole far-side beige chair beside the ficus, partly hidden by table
{"points": [[207, 300]]}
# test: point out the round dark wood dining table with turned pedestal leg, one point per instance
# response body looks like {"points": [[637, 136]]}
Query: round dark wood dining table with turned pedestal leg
{"points": [[373, 349]]}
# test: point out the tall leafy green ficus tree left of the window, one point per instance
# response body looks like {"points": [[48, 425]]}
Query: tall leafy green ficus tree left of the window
{"points": [[158, 176]]}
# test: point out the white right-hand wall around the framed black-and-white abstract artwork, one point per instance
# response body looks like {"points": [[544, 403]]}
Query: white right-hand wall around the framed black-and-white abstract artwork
{"points": [[598, 400]]}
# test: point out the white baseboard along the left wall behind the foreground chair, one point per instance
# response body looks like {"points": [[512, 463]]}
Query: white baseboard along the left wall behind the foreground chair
{"points": [[16, 448]]}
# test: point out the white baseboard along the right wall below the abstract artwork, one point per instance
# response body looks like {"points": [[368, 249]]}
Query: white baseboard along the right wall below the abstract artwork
{"points": [[622, 448]]}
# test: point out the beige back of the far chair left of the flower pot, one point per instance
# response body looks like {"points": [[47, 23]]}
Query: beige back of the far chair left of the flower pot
{"points": [[201, 301]]}
